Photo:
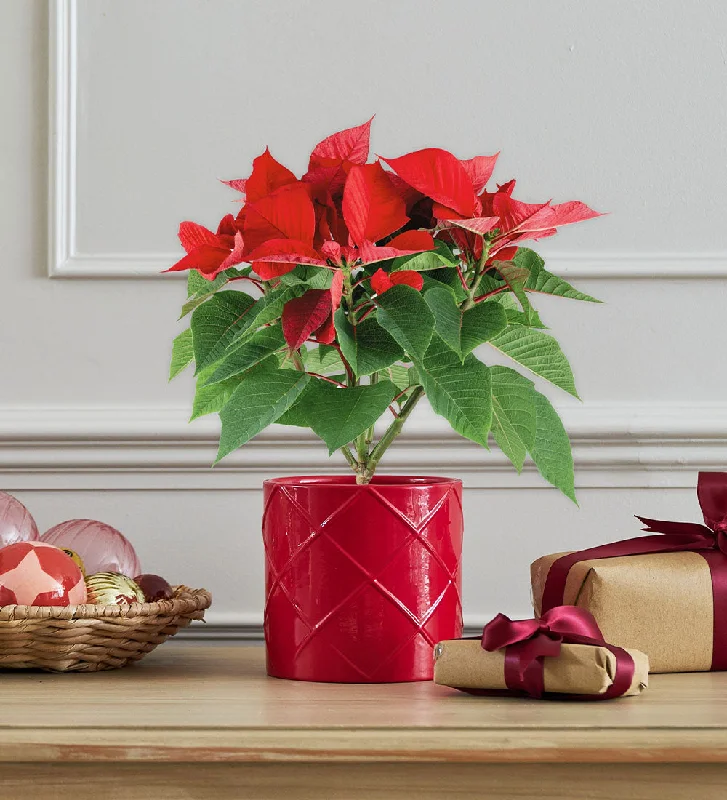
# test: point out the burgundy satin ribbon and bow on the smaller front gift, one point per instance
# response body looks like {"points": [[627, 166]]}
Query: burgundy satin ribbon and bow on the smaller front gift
{"points": [[528, 641]]}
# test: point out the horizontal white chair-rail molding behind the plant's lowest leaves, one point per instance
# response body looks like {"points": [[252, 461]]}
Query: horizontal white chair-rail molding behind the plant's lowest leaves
{"points": [[614, 445]]}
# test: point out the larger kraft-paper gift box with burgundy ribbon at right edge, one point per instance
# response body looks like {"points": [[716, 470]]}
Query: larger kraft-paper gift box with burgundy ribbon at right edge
{"points": [[665, 595]]}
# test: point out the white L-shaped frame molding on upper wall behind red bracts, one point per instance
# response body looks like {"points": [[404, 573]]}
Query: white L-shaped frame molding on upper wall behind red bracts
{"points": [[66, 261]]}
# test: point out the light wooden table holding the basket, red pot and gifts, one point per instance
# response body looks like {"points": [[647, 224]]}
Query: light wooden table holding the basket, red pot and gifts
{"points": [[193, 721]]}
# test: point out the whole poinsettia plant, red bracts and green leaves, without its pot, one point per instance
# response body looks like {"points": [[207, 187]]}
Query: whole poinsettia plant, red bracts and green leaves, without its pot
{"points": [[347, 295]]}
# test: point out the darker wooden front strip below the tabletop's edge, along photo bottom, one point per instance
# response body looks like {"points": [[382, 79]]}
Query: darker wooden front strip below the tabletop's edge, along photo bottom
{"points": [[130, 781]]}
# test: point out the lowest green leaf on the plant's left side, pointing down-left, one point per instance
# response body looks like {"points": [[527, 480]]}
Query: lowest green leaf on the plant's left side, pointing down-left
{"points": [[261, 398]]}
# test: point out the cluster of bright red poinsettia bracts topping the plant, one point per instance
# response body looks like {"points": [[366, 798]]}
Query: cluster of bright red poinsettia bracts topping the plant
{"points": [[345, 213]]}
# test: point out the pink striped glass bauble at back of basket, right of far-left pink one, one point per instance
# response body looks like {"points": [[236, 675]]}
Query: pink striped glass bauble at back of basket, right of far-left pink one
{"points": [[101, 547]]}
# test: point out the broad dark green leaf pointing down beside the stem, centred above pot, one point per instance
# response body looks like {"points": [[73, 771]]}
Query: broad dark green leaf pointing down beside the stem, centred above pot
{"points": [[338, 416]]}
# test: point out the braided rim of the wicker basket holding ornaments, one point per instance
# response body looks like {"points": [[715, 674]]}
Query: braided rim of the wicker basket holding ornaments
{"points": [[185, 601]]}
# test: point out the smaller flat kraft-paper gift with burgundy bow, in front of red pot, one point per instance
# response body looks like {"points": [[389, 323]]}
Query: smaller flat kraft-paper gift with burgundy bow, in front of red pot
{"points": [[563, 653]]}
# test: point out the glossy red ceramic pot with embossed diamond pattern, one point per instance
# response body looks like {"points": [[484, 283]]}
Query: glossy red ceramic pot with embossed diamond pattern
{"points": [[361, 581]]}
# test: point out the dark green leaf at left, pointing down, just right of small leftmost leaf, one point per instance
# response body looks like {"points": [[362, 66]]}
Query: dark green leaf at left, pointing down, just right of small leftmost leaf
{"points": [[213, 321]]}
